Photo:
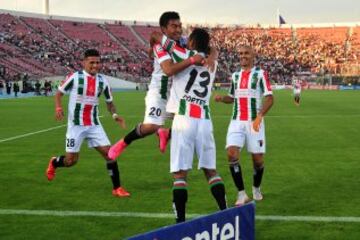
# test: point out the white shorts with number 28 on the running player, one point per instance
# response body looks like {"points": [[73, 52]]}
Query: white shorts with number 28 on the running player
{"points": [[75, 135]]}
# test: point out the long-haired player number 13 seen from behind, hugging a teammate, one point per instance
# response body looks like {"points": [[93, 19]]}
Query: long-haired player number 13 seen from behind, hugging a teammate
{"points": [[192, 129]]}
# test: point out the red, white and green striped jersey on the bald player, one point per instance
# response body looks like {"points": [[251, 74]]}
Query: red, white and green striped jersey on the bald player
{"points": [[247, 88]]}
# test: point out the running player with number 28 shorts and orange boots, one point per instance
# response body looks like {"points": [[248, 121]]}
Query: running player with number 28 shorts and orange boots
{"points": [[85, 88]]}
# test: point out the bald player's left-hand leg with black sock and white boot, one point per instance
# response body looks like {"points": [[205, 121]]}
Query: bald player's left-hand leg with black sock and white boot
{"points": [[233, 153]]}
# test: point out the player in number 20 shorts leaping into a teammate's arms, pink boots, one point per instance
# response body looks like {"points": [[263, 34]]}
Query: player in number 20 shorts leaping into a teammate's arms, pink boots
{"points": [[157, 95]]}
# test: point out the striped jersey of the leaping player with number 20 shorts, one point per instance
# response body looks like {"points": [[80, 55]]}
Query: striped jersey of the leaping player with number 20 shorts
{"points": [[159, 81]]}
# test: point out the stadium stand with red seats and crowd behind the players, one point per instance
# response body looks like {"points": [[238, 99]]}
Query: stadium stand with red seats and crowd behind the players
{"points": [[45, 46]]}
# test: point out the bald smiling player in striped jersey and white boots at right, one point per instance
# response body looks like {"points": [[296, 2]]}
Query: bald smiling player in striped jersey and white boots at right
{"points": [[248, 86]]}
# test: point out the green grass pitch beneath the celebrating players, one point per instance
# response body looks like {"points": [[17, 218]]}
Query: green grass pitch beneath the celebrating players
{"points": [[311, 169]]}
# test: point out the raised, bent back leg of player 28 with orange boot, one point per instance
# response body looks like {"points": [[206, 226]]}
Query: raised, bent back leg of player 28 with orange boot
{"points": [[70, 159]]}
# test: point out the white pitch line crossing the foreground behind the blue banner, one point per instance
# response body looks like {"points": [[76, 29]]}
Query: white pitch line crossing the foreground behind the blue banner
{"points": [[168, 215]]}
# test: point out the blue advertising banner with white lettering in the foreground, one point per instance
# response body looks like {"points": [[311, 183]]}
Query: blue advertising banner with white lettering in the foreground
{"points": [[231, 224]]}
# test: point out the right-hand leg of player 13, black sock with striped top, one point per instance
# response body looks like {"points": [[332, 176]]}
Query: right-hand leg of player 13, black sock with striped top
{"points": [[217, 187]]}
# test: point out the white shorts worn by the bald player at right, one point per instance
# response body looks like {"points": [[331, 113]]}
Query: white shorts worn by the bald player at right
{"points": [[241, 132]]}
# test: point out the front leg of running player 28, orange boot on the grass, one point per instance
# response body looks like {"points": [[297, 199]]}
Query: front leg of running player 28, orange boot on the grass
{"points": [[114, 173]]}
